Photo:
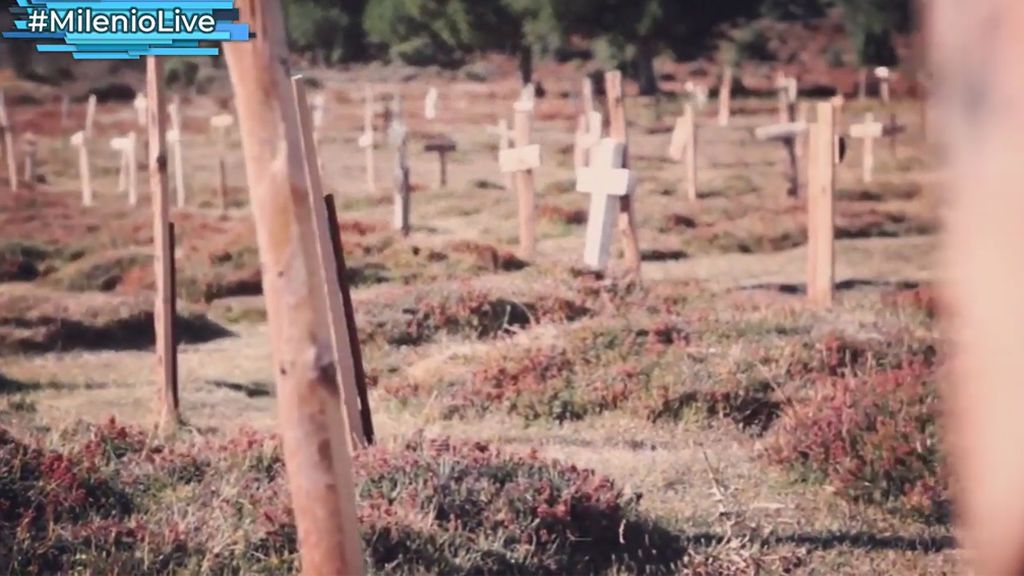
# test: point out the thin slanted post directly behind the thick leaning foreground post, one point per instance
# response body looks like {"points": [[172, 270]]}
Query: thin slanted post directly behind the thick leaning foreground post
{"points": [[345, 357]]}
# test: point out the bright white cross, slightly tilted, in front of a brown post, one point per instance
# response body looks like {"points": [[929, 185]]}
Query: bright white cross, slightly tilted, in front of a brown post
{"points": [[604, 180]]}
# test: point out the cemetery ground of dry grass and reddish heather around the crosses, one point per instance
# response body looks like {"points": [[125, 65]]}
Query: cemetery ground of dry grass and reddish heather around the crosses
{"points": [[739, 430]]}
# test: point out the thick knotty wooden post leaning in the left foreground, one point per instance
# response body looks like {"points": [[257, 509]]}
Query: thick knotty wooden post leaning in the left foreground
{"points": [[315, 439]]}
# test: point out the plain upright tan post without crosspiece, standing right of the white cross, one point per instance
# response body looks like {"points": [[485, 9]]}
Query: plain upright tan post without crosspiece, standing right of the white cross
{"points": [[821, 224]]}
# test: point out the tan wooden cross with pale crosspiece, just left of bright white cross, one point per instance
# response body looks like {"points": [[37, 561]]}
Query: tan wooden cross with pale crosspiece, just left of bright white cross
{"points": [[522, 161]]}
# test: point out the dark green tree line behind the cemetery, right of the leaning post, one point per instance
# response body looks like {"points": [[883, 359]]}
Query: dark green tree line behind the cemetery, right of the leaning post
{"points": [[629, 34]]}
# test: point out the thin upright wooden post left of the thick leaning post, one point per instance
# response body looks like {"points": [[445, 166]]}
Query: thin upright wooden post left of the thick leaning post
{"points": [[163, 260]]}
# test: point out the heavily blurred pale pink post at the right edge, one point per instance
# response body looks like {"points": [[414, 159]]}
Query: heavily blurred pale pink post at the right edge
{"points": [[976, 50]]}
